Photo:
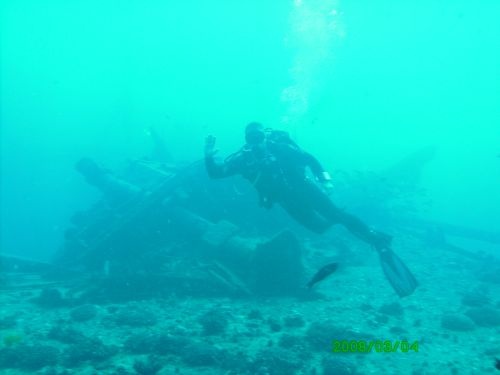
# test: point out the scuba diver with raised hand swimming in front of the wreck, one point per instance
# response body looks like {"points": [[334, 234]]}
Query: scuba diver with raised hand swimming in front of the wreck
{"points": [[276, 166]]}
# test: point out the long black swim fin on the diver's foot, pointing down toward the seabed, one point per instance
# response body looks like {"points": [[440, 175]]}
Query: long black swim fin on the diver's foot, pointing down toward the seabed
{"points": [[396, 272]]}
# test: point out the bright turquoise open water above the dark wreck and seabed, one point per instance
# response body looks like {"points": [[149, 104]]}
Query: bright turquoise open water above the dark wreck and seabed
{"points": [[361, 85]]}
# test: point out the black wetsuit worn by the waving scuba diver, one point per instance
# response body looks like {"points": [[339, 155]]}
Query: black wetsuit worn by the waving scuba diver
{"points": [[278, 172]]}
